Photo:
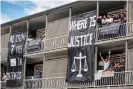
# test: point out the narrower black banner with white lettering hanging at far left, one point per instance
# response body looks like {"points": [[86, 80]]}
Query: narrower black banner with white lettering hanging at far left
{"points": [[15, 61]]}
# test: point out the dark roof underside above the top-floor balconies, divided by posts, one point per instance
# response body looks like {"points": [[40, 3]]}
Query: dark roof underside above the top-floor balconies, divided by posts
{"points": [[77, 8]]}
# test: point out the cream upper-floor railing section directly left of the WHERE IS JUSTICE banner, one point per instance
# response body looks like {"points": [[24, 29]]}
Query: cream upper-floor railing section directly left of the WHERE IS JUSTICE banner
{"points": [[55, 43]]}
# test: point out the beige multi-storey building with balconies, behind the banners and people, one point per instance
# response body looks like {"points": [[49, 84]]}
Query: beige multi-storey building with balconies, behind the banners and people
{"points": [[51, 58]]}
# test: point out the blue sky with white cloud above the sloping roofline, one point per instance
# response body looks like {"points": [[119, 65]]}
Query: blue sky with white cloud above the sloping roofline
{"points": [[12, 9]]}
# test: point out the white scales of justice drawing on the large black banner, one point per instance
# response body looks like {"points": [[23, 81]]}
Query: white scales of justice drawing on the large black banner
{"points": [[74, 66]]}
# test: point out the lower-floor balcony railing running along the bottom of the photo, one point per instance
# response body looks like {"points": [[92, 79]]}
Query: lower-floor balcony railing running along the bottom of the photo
{"points": [[119, 79]]}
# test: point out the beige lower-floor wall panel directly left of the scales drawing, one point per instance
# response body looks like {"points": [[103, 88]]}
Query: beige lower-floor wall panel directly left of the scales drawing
{"points": [[55, 67]]}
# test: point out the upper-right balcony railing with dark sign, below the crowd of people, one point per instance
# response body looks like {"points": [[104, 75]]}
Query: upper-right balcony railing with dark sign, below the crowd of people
{"points": [[114, 31]]}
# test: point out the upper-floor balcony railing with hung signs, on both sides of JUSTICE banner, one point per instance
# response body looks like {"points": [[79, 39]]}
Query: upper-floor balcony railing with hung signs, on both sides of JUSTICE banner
{"points": [[105, 34]]}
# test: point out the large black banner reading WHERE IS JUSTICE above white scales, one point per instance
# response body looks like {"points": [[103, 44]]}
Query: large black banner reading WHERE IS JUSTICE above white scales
{"points": [[81, 47]]}
